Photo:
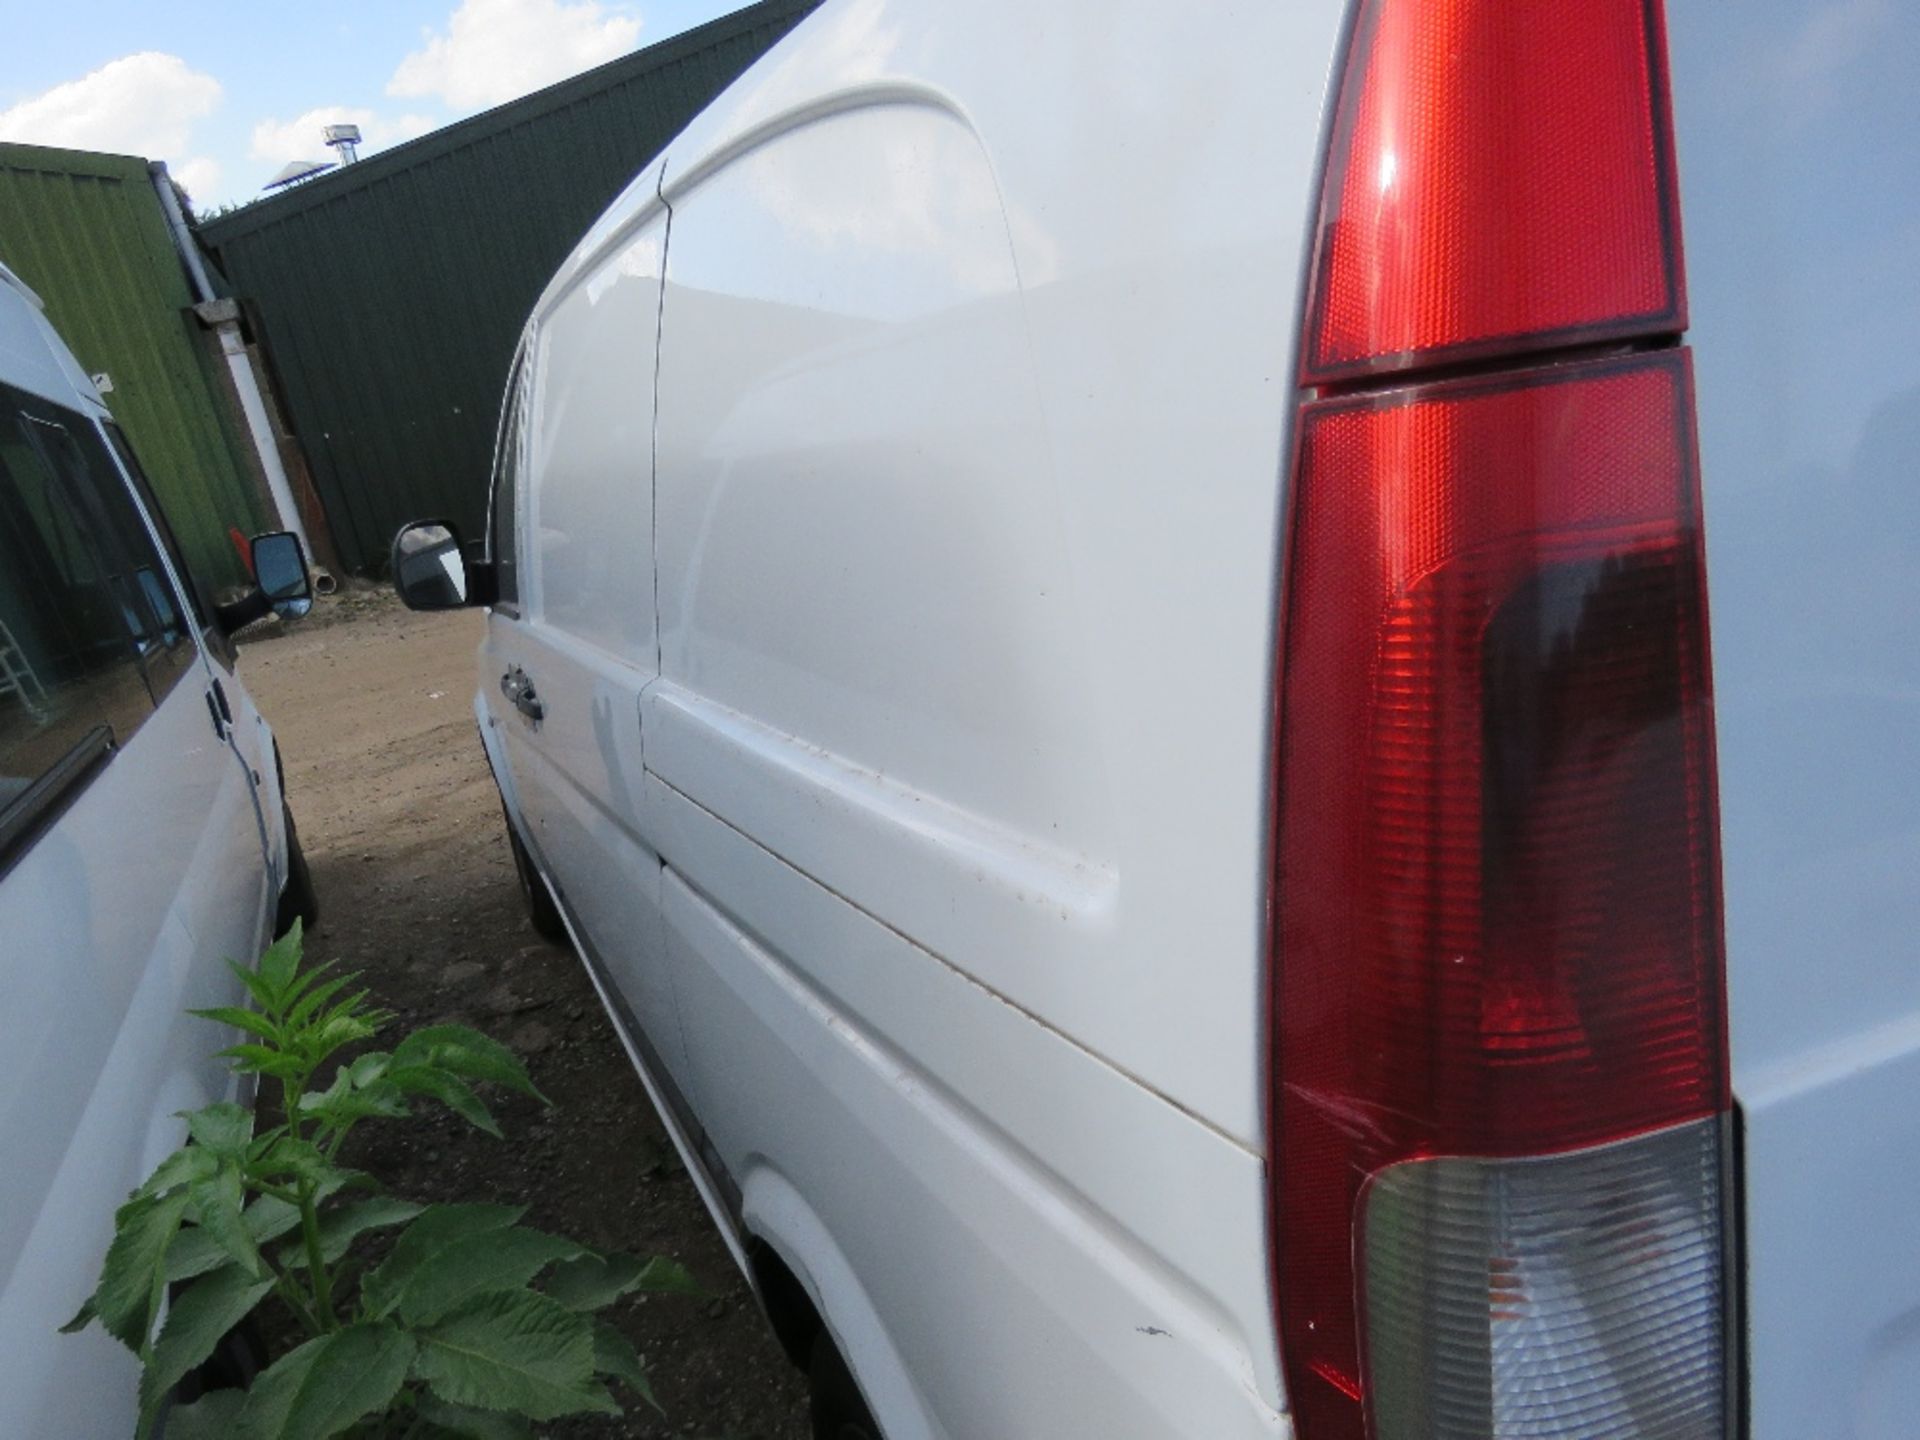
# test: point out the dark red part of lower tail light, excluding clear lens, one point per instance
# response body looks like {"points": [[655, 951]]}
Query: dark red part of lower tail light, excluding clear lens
{"points": [[1499, 926]]}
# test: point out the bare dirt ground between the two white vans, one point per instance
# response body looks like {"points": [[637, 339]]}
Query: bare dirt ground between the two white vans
{"points": [[402, 825]]}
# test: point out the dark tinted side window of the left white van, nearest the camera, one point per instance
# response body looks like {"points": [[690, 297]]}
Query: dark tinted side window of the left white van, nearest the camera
{"points": [[89, 629]]}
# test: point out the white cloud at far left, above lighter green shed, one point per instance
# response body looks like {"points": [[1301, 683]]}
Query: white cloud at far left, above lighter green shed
{"points": [[139, 105]]}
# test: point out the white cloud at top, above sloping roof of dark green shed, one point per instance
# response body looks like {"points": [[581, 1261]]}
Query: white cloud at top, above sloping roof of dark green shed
{"points": [[496, 51]]}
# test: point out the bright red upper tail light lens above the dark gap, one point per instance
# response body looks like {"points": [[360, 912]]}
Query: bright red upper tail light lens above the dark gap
{"points": [[1500, 180]]}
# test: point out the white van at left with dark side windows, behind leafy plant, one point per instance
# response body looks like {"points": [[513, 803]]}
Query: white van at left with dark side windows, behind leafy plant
{"points": [[145, 842]]}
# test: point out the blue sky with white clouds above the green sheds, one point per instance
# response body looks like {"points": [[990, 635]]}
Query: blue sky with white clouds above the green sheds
{"points": [[228, 93]]}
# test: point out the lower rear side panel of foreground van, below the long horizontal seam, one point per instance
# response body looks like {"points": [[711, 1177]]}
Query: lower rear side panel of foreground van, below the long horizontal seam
{"points": [[980, 1174]]}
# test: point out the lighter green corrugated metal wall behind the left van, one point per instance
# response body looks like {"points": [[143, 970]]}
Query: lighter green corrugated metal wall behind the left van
{"points": [[87, 233]]}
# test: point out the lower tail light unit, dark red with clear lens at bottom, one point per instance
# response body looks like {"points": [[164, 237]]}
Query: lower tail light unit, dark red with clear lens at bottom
{"points": [[1499, 1007]]}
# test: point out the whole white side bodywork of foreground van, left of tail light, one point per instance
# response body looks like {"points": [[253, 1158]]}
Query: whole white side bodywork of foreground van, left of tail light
{"points": [[974, 1045]]}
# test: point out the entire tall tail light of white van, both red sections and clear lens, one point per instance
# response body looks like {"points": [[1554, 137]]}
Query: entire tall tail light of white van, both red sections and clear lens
{"points": [[1499, 1026]]}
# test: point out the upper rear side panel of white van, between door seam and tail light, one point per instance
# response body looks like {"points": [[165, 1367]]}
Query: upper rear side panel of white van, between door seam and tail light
{"points": [[1003, 642]]}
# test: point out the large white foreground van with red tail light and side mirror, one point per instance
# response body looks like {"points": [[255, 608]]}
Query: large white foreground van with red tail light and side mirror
{"points": [[1099, 631]]}
